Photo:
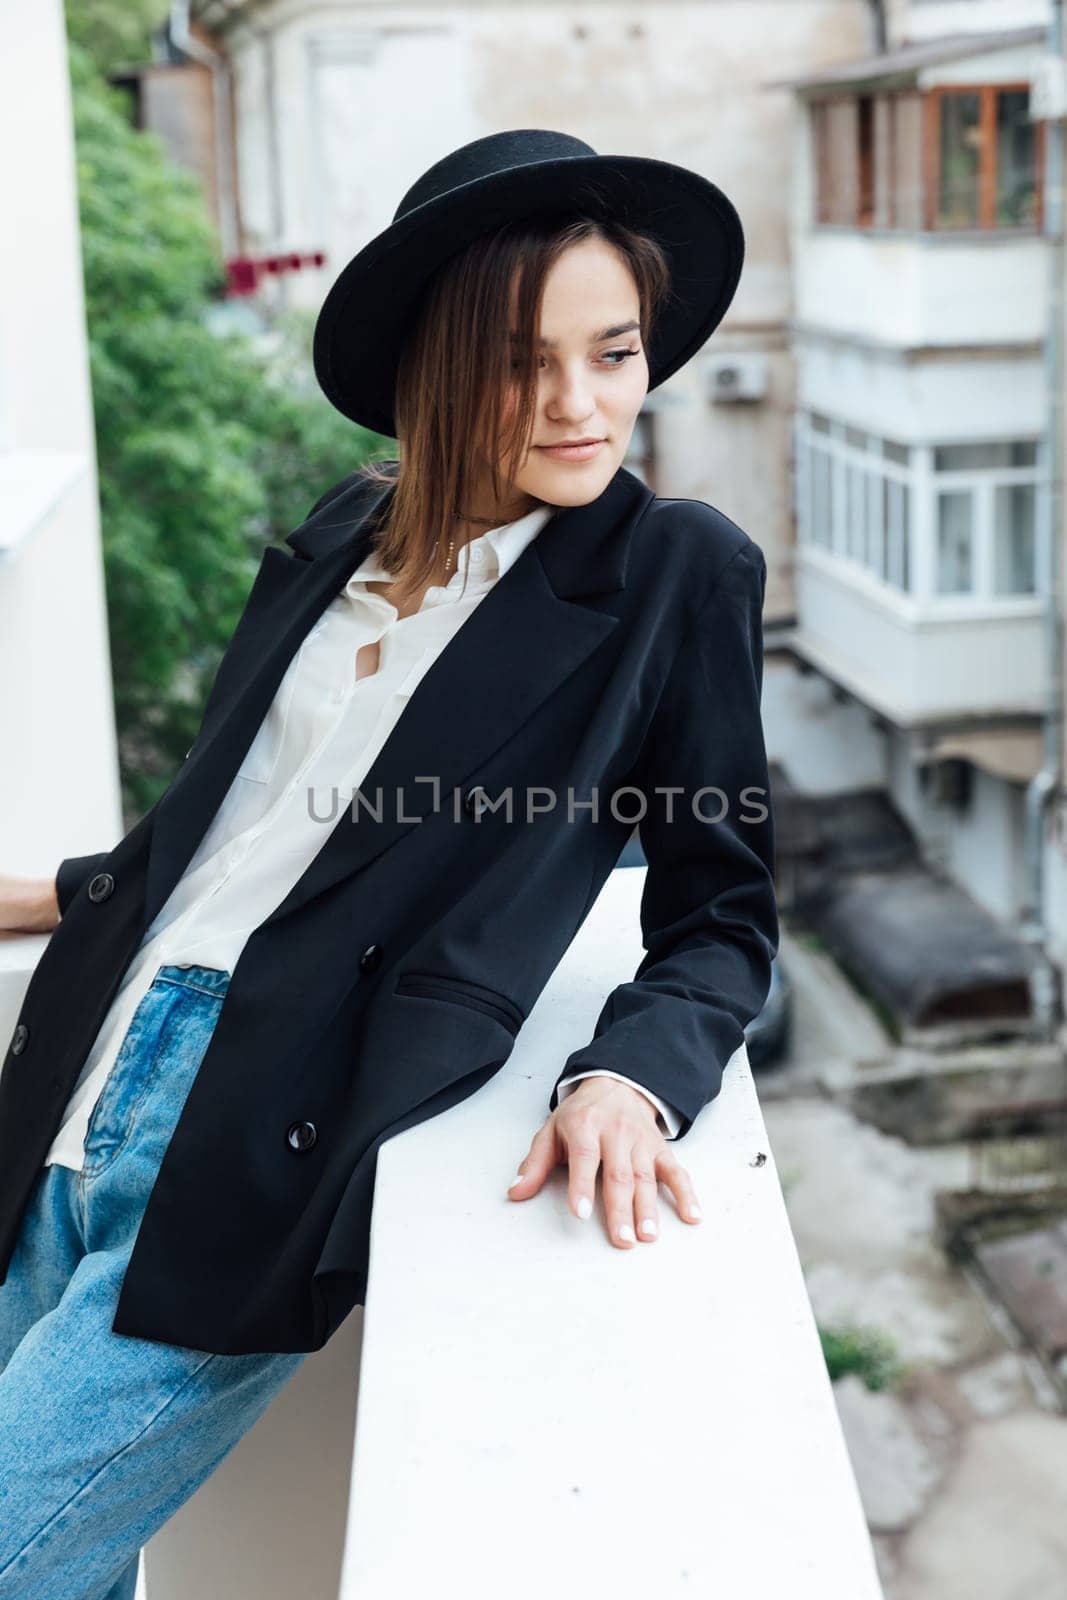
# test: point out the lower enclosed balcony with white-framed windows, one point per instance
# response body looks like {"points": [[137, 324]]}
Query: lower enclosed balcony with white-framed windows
{"points": [[917, 577]]}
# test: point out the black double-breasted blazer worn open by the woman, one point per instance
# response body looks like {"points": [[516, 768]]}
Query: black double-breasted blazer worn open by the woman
{"points": [[621, 652]]}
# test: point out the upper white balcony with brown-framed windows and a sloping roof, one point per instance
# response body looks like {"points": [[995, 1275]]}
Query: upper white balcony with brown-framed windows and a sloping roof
{"points": [[921, 194]]}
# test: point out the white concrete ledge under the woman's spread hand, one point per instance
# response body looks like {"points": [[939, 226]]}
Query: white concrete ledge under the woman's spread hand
{"points": [[545, 1414]]}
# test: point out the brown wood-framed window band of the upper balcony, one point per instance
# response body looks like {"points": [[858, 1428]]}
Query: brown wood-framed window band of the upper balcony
{"points": [[954, 158]]}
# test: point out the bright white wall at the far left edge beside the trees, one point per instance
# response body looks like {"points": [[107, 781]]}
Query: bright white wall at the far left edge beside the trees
{"points": [[60, 791]]}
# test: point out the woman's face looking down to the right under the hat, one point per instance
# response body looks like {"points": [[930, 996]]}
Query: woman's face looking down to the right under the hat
{"points": [[593, 378]]}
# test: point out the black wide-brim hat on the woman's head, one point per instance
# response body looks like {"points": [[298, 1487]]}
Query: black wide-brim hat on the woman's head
{"points": [[498, 180]]}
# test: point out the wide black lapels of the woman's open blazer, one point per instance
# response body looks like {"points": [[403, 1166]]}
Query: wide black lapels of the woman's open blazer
{"points": [[514, 650]]}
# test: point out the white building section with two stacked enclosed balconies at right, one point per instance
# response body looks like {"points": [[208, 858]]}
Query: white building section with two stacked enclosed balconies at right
{"points": [[921, 439]]}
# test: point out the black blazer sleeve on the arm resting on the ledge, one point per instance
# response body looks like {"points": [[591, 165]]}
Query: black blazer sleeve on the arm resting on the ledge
{"points": [[709, 918]]}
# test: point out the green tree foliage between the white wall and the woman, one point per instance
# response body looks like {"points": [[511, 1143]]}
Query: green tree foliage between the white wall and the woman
{"points": [[210, 444]]}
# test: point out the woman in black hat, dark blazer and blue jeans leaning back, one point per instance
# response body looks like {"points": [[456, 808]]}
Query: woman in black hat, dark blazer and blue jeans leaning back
{"points": [[239, 1007]]}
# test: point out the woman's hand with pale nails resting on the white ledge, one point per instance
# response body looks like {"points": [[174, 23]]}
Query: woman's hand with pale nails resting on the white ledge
{"points": [[612, 1124]]}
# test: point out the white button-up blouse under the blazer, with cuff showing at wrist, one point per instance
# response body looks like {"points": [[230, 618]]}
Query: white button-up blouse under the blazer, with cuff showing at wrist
{"points": [[324, 730]]}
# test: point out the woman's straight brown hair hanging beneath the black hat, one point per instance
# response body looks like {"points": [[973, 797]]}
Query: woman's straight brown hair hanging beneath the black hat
{"points": [[458, 367]]}
